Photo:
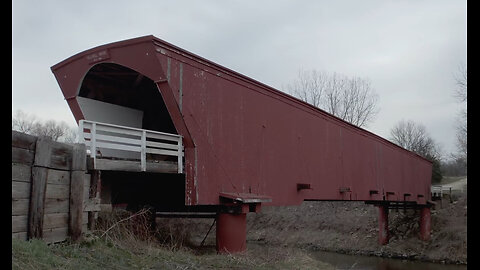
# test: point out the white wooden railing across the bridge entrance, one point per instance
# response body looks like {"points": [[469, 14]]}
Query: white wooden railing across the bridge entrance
{"points": [[116, 141]]}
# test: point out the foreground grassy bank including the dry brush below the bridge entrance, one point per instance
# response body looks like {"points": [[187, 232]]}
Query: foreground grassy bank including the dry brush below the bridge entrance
{"points": [[125, 241]]}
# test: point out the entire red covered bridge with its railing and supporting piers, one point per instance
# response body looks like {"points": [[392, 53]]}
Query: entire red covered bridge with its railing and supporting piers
{"points": [[171, 129]]}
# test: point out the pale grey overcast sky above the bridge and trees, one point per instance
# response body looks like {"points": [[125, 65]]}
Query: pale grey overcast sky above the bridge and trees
{"points": [[409, 50]]}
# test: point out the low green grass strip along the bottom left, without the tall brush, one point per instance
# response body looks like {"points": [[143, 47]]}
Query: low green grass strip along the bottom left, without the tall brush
{"points": [[101, 254]]}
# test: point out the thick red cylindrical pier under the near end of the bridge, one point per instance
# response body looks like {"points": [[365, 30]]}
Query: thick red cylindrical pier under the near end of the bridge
{"points": [[231, 232]]}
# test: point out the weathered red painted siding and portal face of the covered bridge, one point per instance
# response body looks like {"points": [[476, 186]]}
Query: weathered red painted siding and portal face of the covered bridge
{"points": [[242, 136]]}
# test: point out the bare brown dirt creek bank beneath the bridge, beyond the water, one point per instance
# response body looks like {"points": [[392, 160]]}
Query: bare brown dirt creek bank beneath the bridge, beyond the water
{"points": [[352, 228]]}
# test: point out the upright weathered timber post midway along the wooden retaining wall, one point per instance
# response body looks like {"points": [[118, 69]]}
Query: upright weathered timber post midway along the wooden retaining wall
{"points": [[37, 202]]}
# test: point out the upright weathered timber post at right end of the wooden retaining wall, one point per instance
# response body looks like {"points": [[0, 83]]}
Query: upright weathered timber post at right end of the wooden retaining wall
{"points": [[76, 204]]}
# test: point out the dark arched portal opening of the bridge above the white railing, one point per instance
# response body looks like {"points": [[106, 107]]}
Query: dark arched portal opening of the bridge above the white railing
{"points": [[114, 94]]}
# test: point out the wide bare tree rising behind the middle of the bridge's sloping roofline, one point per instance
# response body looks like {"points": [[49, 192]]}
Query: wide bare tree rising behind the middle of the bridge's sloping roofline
{"points": [[351, 99]]}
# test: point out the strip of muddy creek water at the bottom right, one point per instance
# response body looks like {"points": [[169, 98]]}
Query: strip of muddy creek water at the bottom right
{"points": [[342, 261]]}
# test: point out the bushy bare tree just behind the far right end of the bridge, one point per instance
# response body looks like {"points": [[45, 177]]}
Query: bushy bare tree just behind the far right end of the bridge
{"points": [[414, 137]]}
